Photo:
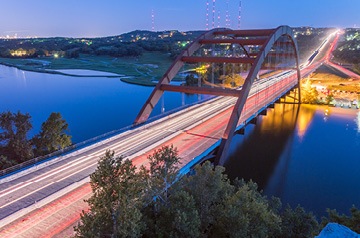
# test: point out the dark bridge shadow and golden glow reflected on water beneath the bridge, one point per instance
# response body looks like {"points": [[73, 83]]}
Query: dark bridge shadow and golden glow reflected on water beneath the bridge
{"points": [[257, 152]]}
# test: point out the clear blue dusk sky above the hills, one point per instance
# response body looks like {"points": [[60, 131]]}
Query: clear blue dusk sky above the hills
{"points": [[96, 18]]}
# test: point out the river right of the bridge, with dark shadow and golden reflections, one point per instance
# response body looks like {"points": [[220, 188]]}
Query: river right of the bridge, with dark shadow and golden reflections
{"points": [[294, 154]]}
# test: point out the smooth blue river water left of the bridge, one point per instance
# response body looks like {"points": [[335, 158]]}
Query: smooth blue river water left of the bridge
{"points": [[91, 106]]}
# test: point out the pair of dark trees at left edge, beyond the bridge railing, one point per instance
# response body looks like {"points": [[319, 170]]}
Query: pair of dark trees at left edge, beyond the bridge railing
{"points": [[15, 147]]}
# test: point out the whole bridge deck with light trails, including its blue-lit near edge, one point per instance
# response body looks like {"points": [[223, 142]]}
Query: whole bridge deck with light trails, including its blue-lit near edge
{"points": [[192, 132]]}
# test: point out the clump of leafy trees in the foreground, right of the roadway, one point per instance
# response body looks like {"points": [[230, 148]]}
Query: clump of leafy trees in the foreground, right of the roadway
{"points": [[139, 202]]}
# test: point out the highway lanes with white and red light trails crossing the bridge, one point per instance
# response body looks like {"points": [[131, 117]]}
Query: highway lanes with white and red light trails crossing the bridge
{"points": [[192, 131]]}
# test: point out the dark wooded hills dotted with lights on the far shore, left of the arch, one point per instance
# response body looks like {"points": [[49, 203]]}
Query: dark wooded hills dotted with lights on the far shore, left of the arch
{"points": [[129, 44]]}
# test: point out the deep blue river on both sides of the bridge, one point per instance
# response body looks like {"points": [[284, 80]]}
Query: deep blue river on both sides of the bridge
{"points": [[304, 155]]}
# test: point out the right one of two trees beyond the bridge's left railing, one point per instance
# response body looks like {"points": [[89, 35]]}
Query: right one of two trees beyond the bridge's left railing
{"points": [[52, 136]]}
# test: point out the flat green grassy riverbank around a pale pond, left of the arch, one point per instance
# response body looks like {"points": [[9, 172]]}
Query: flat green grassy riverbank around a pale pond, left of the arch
{"points": [[135, 70]]}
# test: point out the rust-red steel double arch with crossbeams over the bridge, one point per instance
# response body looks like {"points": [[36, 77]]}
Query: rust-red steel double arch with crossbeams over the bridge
{"points": [[266, 38]]}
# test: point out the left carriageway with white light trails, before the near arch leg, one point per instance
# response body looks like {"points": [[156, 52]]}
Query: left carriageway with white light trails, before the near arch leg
{"points": [[26, 190]]}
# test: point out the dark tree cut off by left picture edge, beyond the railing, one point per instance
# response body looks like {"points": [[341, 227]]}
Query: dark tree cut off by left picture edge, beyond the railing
{"points": [[14, 144]]}
